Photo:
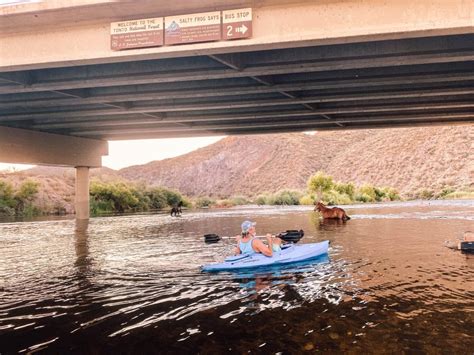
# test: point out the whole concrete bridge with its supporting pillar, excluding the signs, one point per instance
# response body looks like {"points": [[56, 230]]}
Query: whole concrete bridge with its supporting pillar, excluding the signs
{"points": [[309, 65]]}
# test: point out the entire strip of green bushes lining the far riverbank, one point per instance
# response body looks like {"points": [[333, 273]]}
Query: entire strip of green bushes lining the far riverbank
{"points": [[30, 197]]}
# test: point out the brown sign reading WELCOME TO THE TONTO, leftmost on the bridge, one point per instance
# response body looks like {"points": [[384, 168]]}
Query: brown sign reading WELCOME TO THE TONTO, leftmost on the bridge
{"points": [[136, 33]]}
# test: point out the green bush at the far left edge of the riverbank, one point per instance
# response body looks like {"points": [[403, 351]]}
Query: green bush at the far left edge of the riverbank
{"points": [[18, 202]]}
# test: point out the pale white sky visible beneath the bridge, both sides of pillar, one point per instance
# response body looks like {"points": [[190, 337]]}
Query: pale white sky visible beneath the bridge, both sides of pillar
{"points": [[126, 153]]}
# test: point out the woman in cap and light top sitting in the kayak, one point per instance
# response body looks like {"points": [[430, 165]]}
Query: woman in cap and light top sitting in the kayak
{"points": [[248, 244]]}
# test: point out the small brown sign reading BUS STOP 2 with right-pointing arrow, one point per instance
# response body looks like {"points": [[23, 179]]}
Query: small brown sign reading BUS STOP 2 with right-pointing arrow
{"points": [[237, 24]]}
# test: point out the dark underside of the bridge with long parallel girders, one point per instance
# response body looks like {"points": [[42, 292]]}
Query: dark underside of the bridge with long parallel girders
{"points": [[390, 83]]}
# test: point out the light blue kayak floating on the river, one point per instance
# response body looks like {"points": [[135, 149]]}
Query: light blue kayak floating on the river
{"points": [[291, 254]]}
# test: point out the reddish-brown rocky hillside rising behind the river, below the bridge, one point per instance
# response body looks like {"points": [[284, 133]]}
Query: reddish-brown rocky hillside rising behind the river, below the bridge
{"points": [[408, 159]]}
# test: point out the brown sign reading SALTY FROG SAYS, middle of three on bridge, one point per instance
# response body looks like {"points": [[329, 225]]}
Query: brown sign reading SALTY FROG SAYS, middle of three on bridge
{"points": [[202, 27]]}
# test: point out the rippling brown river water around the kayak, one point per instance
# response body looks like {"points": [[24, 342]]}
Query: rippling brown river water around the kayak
{"points": [[133, 284]]}
